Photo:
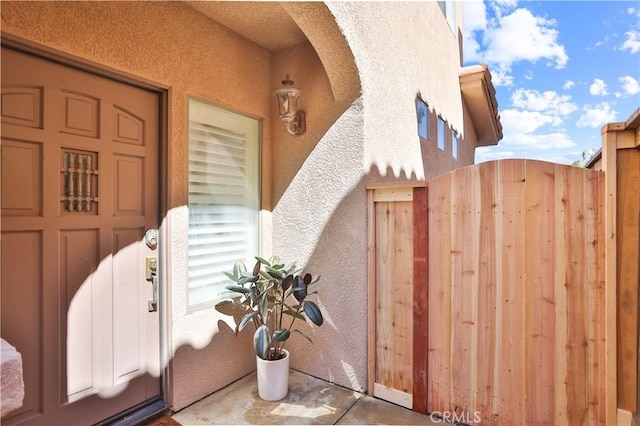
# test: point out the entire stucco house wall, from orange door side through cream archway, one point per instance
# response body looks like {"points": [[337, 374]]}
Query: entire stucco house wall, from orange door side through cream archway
{"points": [[314, 185]]}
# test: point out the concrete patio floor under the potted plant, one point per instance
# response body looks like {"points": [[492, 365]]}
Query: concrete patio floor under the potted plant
{"points": [[310, 401]]}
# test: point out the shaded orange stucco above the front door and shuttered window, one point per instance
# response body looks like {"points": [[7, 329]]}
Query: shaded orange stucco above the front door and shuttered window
{"points": [[164, 42]]}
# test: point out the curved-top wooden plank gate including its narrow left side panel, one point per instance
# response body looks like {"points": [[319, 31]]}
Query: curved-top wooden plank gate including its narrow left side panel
{"points": [[507, 296]]}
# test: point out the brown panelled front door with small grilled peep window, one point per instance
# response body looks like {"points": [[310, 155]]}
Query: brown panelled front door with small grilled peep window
{"points": [[79, 189]]}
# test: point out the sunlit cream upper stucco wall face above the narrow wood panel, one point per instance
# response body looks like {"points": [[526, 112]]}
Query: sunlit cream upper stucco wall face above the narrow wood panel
{"points": [[402, 49]]}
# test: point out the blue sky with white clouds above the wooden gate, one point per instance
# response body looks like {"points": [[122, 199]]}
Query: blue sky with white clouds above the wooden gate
{"points": [[561, 70]]}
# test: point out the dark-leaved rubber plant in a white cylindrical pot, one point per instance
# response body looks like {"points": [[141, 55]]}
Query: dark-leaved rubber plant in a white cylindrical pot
{"points": [[272, 297]]}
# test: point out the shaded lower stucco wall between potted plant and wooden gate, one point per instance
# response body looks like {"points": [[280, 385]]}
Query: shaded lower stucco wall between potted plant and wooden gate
{"points": [[340, 256]]}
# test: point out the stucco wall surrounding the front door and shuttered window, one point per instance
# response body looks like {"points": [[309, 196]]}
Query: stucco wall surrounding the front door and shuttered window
{"points": [[172, 45]]}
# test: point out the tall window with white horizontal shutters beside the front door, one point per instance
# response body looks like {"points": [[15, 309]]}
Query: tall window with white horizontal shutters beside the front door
{"points": [[224, 198]]}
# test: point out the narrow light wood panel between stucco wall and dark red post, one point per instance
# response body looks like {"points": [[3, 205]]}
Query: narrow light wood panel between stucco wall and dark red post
{"points": [[393, 295]]}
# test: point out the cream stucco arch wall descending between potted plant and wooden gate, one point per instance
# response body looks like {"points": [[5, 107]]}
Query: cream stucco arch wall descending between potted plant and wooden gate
{"points": [[401, 50]]}
